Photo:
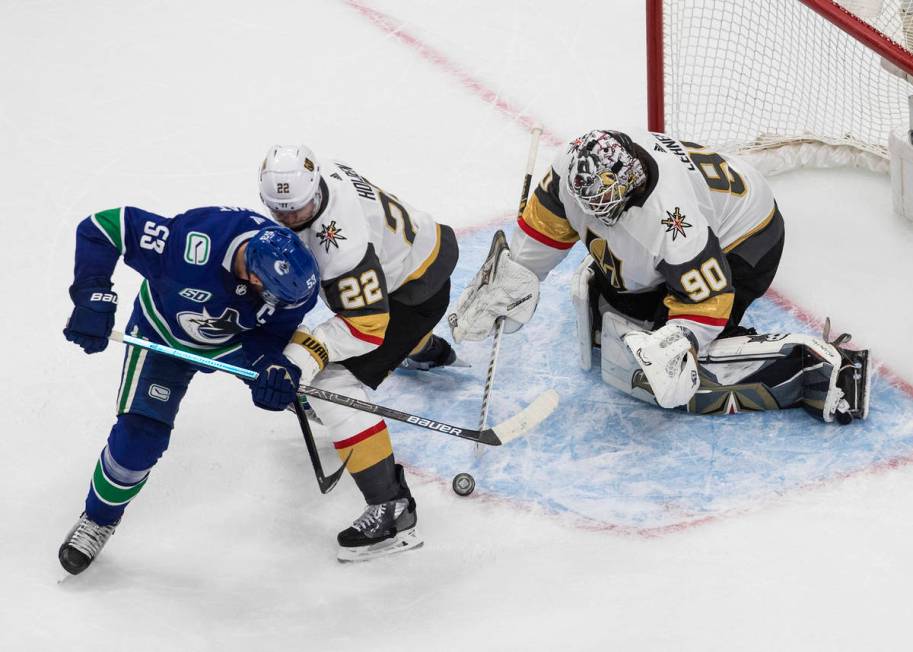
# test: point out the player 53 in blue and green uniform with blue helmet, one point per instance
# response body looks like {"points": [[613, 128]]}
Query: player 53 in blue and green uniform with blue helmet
{"points": [[225, 283]]}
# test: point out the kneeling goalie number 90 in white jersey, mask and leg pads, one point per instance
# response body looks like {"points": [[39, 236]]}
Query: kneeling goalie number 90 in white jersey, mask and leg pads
{"points": [[680, 241]]}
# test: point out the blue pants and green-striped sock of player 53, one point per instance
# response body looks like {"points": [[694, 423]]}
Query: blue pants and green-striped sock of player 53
{"points": [[151, 389]]}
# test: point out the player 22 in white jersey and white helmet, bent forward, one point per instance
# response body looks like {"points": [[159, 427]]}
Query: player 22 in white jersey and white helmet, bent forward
{"points": [[385, 272]]}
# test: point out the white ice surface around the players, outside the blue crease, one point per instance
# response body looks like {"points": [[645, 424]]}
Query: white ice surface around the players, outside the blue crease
{"points": [[170, 105]]}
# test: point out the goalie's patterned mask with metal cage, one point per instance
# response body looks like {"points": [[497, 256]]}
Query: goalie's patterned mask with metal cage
{"points": [[603, 173]]}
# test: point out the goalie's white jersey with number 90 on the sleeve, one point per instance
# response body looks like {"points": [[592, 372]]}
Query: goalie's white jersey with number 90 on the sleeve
{"points": [[696, 206]]}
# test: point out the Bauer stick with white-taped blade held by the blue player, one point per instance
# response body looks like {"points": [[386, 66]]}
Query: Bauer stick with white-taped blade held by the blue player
{"points": [[508, 430]]}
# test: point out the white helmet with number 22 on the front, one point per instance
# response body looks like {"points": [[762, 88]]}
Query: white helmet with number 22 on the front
{"points": [[289, 178]]}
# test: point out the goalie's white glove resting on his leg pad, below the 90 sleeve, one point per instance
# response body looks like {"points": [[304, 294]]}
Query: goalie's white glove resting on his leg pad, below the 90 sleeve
{"points": [[667, 358]]}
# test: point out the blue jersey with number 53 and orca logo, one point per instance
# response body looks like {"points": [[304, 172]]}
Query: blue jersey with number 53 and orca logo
{"points": [[190, 298]]}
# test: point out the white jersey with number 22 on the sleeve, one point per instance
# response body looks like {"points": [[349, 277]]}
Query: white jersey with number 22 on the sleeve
{"points": [[371, 248]]}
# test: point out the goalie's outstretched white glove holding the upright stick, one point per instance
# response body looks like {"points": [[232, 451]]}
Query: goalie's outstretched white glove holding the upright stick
{"points": [[502, 288]]}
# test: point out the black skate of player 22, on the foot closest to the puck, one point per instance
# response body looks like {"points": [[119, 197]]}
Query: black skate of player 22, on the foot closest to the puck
{"points": [[382, 529]]}
